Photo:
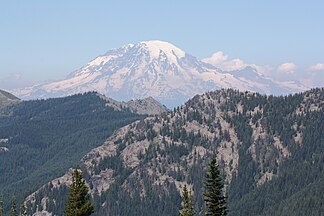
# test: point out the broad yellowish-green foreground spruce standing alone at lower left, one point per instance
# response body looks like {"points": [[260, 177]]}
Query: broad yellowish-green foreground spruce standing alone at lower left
{"points": [[78, 203]]}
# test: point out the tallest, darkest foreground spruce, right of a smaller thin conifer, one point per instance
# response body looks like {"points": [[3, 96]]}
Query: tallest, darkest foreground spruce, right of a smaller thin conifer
{"points": [[214, 198]]}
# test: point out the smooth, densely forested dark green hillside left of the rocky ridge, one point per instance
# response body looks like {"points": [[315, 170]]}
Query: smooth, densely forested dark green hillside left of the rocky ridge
{"points": [[41, 139]]}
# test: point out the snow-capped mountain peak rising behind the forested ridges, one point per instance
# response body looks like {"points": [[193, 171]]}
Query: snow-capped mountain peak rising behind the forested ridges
{"points": [[157, 69]]}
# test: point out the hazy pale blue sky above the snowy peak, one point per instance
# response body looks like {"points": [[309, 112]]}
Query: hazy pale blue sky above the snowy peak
{"points": [[44, 40]]}
